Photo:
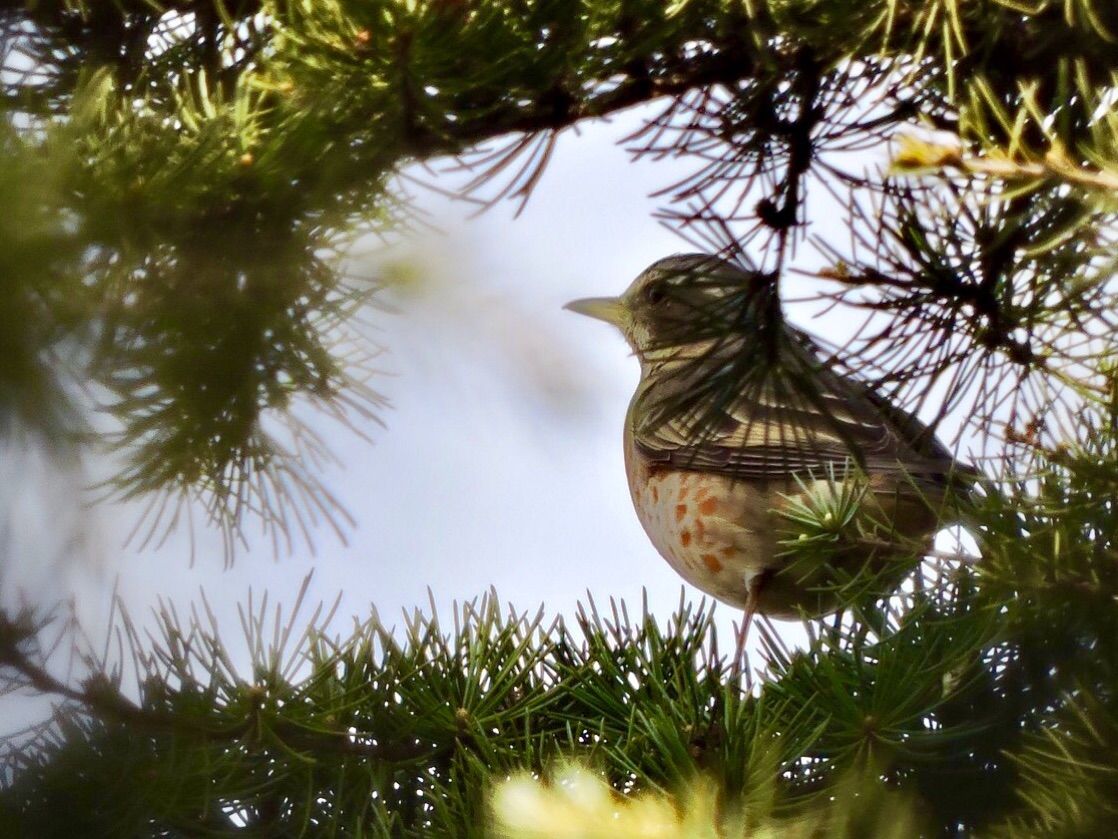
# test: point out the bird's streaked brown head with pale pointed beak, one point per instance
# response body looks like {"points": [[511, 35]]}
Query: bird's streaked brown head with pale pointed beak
{"points": [[678, 303]]}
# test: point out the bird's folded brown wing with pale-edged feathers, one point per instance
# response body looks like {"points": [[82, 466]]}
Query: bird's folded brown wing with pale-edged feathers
{"points": [[806, 419]]}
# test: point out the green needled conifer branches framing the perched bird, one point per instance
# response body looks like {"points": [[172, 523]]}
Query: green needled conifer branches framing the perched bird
{"points": [[179, 184]]}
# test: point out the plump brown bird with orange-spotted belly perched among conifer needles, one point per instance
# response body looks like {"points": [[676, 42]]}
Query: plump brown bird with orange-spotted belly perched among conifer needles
{"points": [[738, 422]]}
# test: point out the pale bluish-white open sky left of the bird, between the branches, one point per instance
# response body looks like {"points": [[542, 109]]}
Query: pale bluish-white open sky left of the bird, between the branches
{"points": [[501, 463]]}
